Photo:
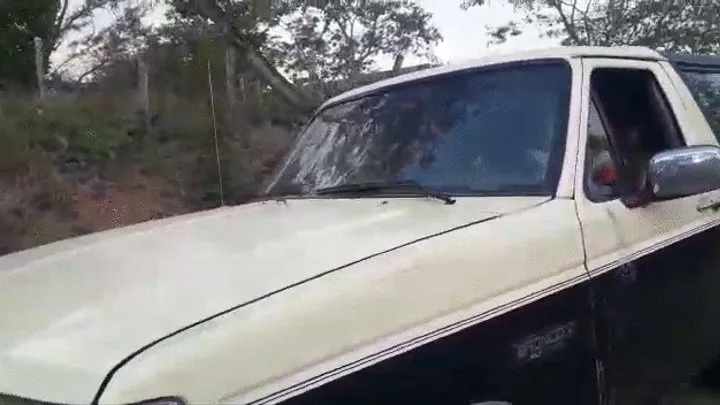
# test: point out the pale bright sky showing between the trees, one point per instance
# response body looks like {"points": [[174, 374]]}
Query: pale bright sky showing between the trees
{"points": [[464, 31]]}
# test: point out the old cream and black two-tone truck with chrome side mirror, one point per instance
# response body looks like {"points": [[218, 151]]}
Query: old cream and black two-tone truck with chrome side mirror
{"points": [[530, 228]]}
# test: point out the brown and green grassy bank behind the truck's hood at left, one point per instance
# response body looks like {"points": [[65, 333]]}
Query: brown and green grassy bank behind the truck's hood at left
{"points": [[85, 165]]}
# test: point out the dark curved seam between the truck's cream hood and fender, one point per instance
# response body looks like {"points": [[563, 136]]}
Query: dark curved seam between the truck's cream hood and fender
{"points": [[106, 381]]}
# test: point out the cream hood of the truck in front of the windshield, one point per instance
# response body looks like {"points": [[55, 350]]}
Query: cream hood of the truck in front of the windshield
{"points": [[72, 310]]}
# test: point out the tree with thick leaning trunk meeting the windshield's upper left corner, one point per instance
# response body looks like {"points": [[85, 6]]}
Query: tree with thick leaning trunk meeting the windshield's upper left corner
{"points": [[245, 29]]}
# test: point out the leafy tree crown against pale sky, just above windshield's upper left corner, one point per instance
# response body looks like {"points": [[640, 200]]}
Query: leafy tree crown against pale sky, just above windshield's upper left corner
{"points": [[339, 42]]}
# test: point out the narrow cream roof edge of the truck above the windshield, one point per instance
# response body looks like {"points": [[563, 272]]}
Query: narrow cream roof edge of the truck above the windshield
{"points": [[625, 52]]}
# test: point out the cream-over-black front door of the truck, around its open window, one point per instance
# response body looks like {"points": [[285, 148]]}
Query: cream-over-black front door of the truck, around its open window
{"points": [[655, 270]]}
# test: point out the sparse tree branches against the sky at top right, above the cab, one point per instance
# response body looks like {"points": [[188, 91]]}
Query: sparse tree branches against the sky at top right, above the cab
{"points": [[671, 25]]}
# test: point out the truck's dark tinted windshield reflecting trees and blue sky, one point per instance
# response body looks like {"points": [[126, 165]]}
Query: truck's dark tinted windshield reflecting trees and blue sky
{"points": [[493, 131]]}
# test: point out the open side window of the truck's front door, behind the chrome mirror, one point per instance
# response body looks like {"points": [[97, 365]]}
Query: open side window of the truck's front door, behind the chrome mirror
{"points": [[629, 121]]}
